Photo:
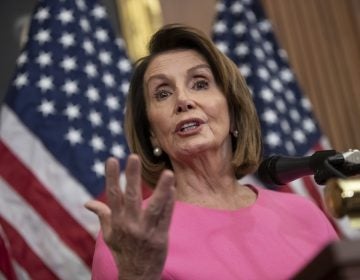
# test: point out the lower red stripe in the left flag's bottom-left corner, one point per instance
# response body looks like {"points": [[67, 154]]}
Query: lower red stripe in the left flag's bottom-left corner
{"points": [[24, 255]]}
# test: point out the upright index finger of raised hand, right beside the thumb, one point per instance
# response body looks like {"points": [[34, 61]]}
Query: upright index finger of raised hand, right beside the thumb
{"points": [[113, 192]]}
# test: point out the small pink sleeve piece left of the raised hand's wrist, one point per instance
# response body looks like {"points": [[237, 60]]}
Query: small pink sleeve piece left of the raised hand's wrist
{"points": [[103, 266]]}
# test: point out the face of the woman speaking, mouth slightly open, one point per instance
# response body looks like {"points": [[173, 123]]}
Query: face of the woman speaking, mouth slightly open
{"points": [[188, 113]]}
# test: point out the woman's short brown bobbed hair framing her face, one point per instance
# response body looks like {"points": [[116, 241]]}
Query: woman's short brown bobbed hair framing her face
{"points": [[247, 146]]}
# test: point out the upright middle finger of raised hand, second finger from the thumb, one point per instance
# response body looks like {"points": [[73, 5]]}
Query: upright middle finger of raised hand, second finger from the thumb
{"points": [[132, 197]]}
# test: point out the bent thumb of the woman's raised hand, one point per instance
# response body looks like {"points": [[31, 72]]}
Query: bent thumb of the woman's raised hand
{"points": [[104, 214]]}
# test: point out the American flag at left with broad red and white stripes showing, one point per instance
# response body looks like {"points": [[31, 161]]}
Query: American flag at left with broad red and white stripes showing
{"points": [[61, 119]]}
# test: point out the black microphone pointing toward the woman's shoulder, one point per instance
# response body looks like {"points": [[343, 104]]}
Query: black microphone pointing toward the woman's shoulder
{"points": [[279, 170]]}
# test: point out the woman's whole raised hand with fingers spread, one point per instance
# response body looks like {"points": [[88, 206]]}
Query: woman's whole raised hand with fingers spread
{"points": [[137, 236]]}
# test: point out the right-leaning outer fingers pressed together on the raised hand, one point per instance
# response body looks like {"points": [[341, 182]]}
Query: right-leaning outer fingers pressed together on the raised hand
{"points": [[159, 210]]}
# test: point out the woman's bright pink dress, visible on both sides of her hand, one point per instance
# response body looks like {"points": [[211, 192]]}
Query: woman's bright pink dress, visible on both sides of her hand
{"points": [[272, 239]]}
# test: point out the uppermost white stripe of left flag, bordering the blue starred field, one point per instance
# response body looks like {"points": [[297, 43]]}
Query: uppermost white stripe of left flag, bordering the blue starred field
{"points": [[47, 169]]}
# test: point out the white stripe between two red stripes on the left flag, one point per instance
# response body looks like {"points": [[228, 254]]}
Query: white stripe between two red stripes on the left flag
{"points": [[41, 238]]}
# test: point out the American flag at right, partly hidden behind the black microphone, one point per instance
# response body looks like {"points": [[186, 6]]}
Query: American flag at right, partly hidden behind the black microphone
{"points": [[242, 31]]}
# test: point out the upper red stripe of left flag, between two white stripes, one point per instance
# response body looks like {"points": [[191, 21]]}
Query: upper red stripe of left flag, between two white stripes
{"points": [[26, 184]]}
